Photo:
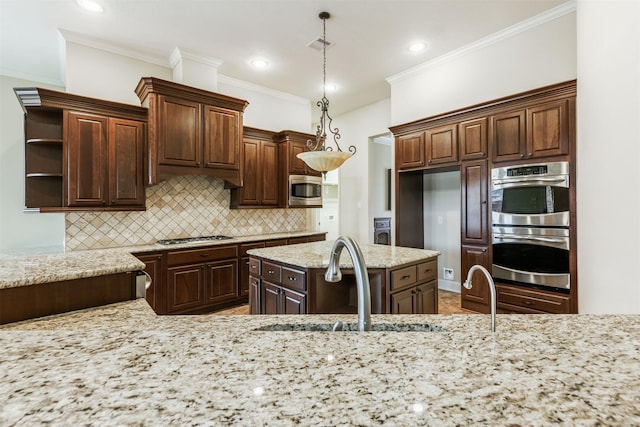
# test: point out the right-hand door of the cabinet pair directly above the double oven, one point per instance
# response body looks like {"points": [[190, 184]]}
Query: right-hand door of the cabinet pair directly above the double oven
{"points": [[548, 130]]}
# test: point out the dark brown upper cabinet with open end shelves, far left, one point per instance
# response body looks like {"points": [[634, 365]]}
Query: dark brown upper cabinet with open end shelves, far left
{"points": [[82, 153]]}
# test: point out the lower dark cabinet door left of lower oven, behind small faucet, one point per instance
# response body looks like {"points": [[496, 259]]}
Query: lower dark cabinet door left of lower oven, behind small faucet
{"points": [[477, 298]]}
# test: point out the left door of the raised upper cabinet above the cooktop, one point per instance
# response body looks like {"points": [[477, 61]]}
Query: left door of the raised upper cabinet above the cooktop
{"points": [[179, 132]]}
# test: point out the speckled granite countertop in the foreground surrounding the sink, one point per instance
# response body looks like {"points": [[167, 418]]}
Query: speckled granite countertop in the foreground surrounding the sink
{"points": [[122, 365]]}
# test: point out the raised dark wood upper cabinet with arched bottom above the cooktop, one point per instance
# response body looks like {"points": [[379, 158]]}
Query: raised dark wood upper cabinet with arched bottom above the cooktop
{"points": [[192, 131]]}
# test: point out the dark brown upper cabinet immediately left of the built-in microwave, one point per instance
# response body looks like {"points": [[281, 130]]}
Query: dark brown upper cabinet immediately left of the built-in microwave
{"points": [[261, 182]]}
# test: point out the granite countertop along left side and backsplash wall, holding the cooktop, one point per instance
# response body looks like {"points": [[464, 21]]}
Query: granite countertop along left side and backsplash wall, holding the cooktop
{"points": [[36, 267]]}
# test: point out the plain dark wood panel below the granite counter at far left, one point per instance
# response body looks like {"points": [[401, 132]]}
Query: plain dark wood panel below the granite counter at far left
{"points": [[30, 302]]}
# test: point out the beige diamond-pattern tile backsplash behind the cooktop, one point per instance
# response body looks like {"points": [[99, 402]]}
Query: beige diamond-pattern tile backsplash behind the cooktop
{"points": [[180, 207]]}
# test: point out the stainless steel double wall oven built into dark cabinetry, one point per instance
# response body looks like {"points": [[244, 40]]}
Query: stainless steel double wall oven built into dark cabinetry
{"points": [[530, 225]]}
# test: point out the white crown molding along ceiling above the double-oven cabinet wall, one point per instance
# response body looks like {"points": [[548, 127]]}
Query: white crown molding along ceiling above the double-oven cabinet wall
{"points": [[528, 24]]}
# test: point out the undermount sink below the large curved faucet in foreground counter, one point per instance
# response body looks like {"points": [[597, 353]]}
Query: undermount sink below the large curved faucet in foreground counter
{"points": [[328, 327]]}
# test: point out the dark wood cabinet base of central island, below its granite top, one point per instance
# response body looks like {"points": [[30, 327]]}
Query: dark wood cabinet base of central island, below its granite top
{"points": [[279, 288]]}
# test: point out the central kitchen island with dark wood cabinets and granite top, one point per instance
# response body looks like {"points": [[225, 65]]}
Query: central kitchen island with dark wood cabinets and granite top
{"points": [[290, 280]]}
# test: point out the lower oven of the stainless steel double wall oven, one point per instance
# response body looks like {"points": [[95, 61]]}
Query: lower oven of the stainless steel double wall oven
{"points": [[532, 256]]}
